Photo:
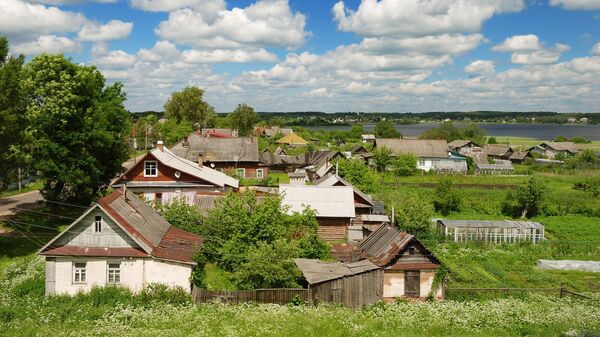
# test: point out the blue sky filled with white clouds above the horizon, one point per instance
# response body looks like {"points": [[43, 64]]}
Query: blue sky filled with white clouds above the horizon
{"points": [[332, 56]]}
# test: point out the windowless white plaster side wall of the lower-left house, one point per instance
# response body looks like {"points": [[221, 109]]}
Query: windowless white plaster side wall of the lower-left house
{"points": [[169, 273]]}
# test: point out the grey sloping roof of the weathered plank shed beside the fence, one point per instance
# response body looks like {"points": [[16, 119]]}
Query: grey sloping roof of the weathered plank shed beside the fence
{"points": [[317, 271]]}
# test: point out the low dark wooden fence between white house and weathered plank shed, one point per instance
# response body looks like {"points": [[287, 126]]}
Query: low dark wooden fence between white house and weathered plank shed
{"points": [[277, 296]]}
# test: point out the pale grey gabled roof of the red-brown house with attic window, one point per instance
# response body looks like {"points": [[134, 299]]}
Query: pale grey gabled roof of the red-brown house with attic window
{"points": [[168, 158]]}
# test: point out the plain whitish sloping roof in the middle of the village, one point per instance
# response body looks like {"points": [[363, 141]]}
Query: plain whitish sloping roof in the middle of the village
{"points": [[327, 201]]}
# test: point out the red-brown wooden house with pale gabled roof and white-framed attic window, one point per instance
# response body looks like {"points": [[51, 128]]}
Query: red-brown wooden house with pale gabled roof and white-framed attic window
{"points": [[161, 176]]}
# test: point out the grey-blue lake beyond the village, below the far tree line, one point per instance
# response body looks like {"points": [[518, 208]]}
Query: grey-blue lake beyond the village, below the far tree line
{"points": [[538, 131]]}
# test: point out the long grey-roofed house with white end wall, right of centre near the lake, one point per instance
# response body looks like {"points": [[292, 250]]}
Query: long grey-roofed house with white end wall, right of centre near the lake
{"points": [[433, 154]]}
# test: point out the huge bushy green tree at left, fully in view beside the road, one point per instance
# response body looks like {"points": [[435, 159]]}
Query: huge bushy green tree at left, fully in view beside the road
{"points": [[77, 126]]}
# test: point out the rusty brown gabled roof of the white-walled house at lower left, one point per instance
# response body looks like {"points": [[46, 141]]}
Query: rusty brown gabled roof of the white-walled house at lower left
{"points": [[156, 237]]}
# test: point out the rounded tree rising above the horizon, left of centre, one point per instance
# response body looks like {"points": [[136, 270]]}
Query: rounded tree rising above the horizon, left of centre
{"points": [[189, 105]]}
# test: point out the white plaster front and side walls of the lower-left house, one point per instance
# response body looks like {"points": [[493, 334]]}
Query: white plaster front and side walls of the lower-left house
{"points": [[135, 273]]}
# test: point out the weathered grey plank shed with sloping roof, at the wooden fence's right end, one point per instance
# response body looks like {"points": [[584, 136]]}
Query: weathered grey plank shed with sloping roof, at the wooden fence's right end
{"points": [[353, 284]]}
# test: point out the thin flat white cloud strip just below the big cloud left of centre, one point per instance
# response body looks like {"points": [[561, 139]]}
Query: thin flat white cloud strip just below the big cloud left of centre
{"points": [[227, 55]]}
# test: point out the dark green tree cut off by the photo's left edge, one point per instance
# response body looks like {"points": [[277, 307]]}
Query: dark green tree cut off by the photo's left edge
{"points": [[12, 154]]}
